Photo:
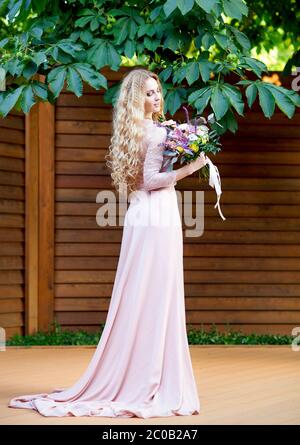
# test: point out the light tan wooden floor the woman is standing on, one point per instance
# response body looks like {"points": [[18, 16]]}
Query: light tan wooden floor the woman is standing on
{"points": [[236, 384]]}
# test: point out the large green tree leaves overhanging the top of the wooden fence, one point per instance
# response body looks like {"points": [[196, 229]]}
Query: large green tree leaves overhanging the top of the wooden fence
{"points": [[193, 44]]}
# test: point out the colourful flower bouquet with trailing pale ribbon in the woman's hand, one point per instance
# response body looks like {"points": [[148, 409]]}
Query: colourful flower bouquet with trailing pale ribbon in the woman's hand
{"points": [[186, 141]]}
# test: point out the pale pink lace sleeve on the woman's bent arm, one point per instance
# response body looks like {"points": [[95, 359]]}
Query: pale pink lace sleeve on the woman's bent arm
{"points": [[152, 177]]}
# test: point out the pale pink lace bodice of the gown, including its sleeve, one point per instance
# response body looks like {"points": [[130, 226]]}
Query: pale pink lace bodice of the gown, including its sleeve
{"points": [[153, 178]]}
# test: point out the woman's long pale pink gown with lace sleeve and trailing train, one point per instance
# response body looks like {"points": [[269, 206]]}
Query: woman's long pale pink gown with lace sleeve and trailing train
{"points": [[142, 365]]}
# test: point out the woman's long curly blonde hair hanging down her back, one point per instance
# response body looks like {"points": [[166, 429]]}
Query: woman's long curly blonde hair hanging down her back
{"points": [[124, 157]]}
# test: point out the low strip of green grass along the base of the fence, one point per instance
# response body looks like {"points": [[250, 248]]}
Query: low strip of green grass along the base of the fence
{"points": [[55, 336]]}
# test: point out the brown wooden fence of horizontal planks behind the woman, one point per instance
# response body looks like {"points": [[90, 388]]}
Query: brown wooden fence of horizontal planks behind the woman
{"points": [[58, 264]]}
